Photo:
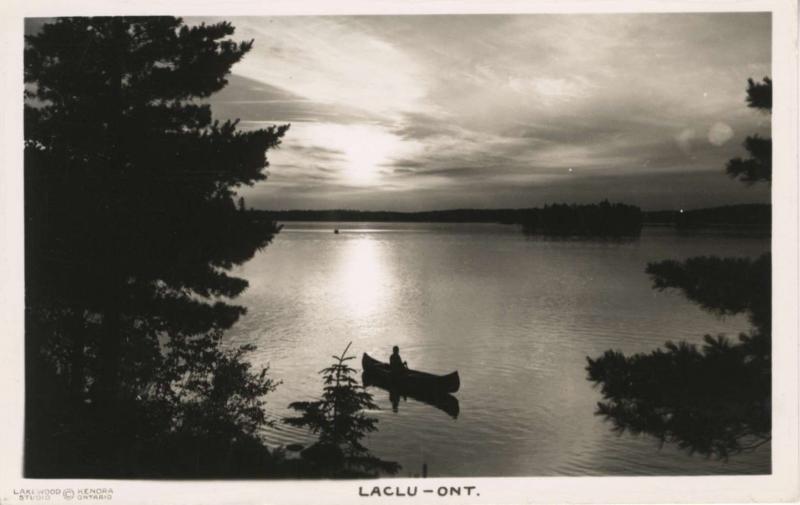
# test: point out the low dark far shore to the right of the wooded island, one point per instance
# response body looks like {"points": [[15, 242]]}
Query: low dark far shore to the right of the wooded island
{"points": [[754, 215]]}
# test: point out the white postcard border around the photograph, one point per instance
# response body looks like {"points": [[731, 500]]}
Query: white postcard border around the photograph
{"points": [[781, 486]]}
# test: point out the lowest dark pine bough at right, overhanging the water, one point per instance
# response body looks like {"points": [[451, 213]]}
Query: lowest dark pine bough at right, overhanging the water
{"points": [[714, 401]]}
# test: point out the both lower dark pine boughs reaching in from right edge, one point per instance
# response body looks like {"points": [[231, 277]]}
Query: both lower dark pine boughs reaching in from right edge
{"points": [[715, 400]]}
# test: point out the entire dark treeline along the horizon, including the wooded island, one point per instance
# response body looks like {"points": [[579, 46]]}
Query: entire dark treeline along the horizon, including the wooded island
{"points": [[557, 218]]}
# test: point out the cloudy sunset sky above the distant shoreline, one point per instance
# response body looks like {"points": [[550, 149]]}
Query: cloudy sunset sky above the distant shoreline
{"points": [[485, 111]]}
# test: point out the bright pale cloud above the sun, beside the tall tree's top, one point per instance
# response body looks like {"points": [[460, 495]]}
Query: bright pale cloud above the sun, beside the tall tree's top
{"points": [[326, 61]]}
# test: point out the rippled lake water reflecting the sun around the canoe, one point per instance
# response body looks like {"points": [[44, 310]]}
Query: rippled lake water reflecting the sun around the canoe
{"points": [[517, 318]]}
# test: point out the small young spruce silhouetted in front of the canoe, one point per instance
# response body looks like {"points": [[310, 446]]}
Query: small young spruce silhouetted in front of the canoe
{"points": [[339, 419]]}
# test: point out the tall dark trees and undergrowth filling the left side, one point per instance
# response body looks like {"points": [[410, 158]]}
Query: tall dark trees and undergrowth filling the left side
{"points": [[131, 228]]}
